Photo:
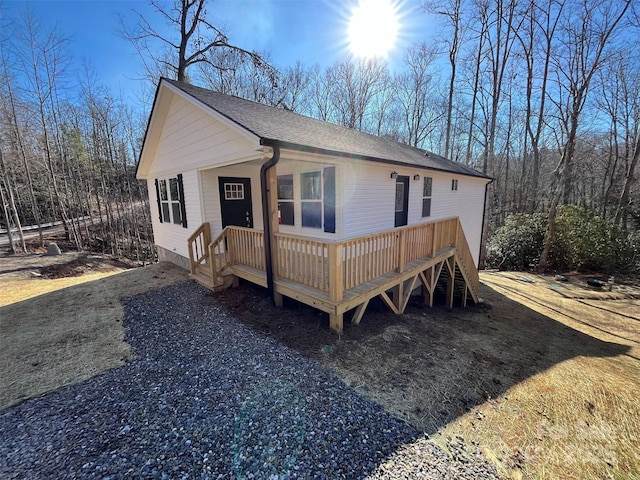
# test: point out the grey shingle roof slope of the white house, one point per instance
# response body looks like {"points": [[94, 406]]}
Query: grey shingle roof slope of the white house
{"points": [[295, 130]]}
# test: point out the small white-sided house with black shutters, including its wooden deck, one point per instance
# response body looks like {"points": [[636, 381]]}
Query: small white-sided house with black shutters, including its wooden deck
{"points": [[217, 164]]}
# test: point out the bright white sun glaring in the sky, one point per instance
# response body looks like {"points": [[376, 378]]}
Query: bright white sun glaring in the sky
{"points": [[373, 28]]}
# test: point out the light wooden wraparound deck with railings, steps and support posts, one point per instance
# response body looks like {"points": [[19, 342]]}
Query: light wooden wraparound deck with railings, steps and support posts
{"points": [[336, 277]]}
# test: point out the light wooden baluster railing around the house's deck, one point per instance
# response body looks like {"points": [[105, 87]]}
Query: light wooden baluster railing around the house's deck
{"points": [[334, 266]]}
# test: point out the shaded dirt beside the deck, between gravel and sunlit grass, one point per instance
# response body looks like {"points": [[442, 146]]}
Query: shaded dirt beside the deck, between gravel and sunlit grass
{"points": [[430, 365]]}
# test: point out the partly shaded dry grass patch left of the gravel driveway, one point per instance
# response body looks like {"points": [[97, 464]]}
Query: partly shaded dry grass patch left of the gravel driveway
{"points": [[56, 332]]}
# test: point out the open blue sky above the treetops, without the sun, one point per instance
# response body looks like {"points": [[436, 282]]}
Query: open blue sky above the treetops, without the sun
{"points": [[312, 31]]}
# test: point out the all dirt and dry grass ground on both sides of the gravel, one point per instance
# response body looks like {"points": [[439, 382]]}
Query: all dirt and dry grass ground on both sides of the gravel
{"points": [[542, 374]]}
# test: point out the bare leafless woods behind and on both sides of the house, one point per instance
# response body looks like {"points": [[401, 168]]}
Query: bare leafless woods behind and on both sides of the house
{"points": [[544, 96]]}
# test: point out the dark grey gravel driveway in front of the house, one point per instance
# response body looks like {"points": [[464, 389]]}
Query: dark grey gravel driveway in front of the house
{"points": [[206, 397]]}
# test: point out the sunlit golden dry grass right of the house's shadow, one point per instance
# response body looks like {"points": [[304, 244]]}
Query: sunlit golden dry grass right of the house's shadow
{"points": [[579, 419]]}
